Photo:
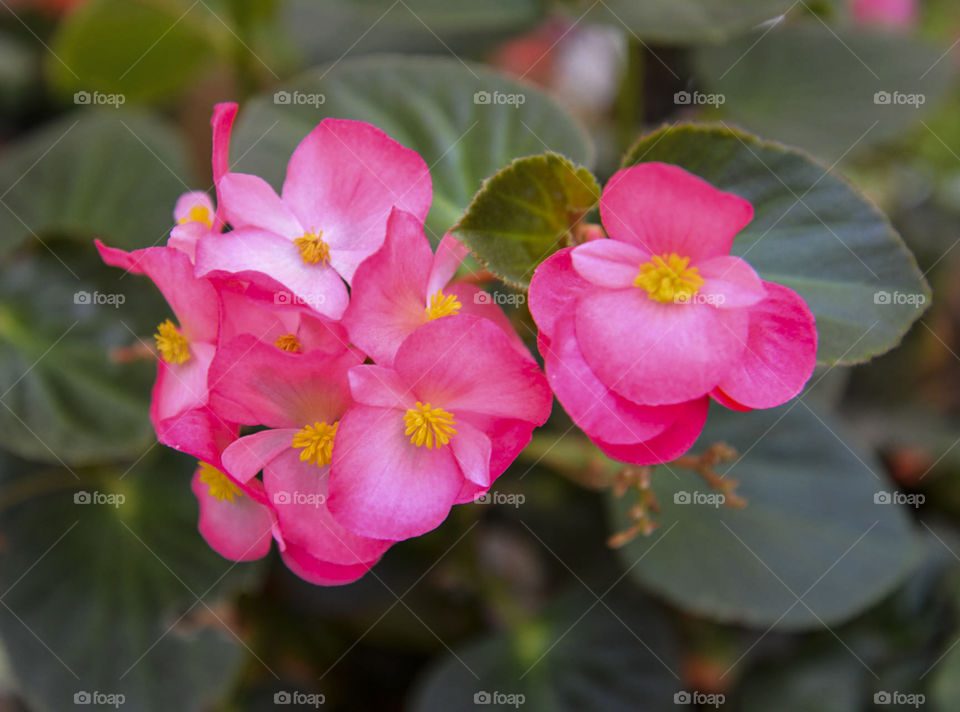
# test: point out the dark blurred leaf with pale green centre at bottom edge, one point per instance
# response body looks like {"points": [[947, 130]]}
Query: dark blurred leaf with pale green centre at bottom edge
{"points": [[616, 655]]}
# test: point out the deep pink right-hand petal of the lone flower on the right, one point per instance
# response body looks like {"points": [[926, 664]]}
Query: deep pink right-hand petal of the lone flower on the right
{"points": [[781, 352]]}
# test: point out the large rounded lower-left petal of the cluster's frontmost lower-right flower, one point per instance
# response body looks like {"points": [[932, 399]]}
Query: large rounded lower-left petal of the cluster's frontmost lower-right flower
{"points": [[382, 485]]}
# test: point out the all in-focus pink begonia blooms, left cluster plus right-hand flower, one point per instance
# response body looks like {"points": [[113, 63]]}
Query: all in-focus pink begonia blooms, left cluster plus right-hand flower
{"points": [[342, 391]]}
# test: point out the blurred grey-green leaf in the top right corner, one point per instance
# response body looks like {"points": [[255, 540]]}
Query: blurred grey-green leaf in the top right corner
{"points": [[817, 87]]}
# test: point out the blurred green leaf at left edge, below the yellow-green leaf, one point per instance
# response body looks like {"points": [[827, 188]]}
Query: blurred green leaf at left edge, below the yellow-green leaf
{"points": [[95, 173]]}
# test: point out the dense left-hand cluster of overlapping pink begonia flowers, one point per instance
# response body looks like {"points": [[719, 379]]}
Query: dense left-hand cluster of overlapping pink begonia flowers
{"points": [[321, 342]]}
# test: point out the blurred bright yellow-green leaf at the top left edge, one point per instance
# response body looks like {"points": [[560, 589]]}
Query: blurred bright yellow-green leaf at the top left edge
{"points": [[142, 50]]}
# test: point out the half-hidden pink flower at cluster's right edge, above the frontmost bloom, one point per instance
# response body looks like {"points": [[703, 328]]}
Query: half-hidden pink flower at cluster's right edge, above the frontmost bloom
{"points": [[405, 285]]}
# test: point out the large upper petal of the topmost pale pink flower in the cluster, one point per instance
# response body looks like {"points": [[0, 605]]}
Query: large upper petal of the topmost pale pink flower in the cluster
{"points": [[344, 178]]}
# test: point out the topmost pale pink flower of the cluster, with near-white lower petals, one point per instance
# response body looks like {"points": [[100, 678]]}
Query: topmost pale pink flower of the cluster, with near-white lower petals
{"points": [[342, 182]]}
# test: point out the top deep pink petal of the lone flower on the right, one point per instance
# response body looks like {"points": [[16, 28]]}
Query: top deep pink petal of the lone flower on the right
{"points": [[664, 209]]}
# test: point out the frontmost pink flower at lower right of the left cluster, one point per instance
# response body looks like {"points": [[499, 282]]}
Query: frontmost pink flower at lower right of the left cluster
{"points": [[436, 429]]}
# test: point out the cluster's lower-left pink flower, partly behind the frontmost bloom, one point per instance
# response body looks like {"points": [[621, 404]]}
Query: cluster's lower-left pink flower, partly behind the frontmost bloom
{"points": [[300, 398]]}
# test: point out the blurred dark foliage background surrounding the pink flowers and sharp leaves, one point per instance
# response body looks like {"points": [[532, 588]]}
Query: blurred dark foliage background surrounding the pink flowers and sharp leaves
{"points": [[836, 589]]}
